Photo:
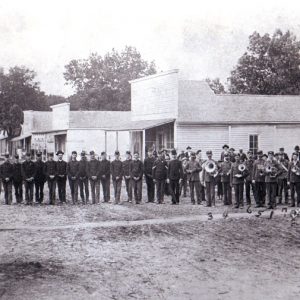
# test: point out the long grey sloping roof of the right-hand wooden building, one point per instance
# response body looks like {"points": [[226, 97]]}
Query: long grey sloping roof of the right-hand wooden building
{"points": [[198, 105]]}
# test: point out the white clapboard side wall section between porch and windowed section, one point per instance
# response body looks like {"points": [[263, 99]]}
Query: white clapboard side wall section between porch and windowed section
{"points": [[202, 137]]}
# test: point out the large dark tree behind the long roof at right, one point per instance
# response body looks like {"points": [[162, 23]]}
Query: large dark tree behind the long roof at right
{"points": [[270, 66]]}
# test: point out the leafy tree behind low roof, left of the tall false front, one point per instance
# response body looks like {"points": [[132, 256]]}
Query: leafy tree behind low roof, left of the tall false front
{"points": [[102, 83]]}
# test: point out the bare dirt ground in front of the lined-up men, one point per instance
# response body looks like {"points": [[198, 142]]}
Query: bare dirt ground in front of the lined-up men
{"points": [[147, 251]]}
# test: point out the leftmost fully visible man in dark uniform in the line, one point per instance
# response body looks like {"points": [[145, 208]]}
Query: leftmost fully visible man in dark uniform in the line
{"points": [[7, 171]]}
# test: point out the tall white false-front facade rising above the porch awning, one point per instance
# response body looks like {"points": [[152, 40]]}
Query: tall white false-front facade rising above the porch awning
{"points": [[155, 98]]}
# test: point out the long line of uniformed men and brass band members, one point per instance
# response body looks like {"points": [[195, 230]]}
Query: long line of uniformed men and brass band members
{"points": [[269, 176]]}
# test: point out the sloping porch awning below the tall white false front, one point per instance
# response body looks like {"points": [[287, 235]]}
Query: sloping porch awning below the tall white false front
{"points": [[139, 125]]}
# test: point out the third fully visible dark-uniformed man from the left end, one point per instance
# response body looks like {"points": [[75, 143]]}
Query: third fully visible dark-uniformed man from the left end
{"points": [[28, 174]]}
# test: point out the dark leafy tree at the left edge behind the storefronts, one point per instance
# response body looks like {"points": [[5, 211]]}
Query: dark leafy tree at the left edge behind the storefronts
{"points": [[18, 91]]}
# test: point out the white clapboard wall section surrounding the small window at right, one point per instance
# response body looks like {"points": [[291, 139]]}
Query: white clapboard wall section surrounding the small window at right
{"points": [[239, 136]]}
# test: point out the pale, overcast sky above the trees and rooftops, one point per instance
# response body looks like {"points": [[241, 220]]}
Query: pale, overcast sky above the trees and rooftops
{"points": [[201, 38]]}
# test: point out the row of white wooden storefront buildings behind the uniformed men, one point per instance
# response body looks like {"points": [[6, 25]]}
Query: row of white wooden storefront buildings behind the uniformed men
{"points": [[168, 112]]}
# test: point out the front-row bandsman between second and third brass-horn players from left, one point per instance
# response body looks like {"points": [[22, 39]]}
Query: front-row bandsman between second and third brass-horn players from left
{"points": [[258, 178]]}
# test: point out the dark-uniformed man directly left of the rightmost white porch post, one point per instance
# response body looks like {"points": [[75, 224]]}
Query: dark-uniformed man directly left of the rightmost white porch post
{"points": [[136, 171]]}
